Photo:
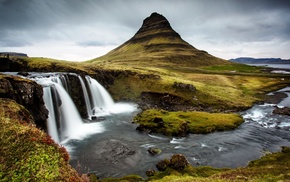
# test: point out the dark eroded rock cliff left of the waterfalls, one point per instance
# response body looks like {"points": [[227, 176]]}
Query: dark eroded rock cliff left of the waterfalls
{"points": [[27, 93]]}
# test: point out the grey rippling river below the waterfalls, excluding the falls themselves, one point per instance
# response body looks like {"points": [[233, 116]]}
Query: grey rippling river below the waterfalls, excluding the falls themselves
{"points": [[120, 150]]}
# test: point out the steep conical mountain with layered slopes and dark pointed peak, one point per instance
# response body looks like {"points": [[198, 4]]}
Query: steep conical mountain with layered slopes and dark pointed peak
{"points": [[157, 44]]}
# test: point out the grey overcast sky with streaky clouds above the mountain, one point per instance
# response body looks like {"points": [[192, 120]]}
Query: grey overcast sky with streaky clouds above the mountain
{"points": [[79, 30]]}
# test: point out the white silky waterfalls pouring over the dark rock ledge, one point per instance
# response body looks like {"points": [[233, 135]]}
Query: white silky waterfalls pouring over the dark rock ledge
{"points": [[64, 121]]}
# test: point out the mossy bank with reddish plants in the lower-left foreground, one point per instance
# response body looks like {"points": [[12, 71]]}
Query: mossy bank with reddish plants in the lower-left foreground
{"points": [[27, 153]]}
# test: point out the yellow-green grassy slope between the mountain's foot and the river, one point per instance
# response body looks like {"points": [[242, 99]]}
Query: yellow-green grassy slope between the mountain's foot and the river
{"points": [[218, 92]]}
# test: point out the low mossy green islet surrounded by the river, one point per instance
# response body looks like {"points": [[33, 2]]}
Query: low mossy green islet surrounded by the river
{"points": [[180, 123]]}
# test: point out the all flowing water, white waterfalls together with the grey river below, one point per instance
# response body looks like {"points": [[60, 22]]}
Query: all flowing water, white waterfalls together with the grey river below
{"points": [[112, 147]]}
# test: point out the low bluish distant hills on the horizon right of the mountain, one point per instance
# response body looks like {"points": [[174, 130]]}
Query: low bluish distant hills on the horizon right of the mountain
{"points": [[248, 60]]}
